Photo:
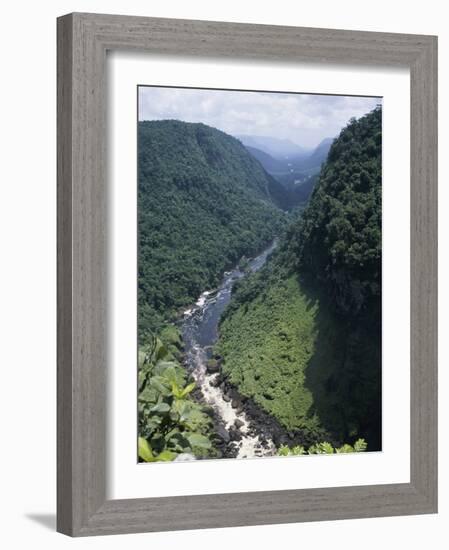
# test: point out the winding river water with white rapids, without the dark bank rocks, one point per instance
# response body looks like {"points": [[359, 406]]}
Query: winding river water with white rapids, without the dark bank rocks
{"points": [[200, 333]]}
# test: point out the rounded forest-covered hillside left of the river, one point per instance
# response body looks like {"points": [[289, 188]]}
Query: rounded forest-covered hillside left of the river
{"points": [[204, 202]]}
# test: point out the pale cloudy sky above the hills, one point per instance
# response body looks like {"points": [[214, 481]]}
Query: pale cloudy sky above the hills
{"points": [[305, 119]]}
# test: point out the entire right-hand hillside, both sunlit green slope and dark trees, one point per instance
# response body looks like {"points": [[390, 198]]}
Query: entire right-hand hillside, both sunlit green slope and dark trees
{"points": [[302, 337]]}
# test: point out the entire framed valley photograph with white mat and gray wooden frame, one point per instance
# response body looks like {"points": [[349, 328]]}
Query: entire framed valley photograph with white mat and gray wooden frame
{"points": [[247, 274]]}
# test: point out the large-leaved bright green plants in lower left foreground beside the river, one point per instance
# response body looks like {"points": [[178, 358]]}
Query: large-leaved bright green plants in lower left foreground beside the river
{"points": [[170, 422]]}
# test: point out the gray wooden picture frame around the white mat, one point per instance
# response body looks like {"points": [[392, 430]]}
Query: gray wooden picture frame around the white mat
{"points": [[83, 40]]}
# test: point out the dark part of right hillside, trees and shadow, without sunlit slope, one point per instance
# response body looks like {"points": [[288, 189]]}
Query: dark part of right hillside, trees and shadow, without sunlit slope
{"points": [[336, 249]]}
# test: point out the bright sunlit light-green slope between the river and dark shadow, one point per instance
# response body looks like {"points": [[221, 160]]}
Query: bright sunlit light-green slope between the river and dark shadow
{"points": [[267, 338]]}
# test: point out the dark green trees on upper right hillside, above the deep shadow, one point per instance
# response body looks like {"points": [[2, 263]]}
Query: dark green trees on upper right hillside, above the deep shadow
{"points": [[338, 239]]}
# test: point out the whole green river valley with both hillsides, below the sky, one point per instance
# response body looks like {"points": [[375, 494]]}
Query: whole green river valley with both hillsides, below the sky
{"points": [[249, 348]]}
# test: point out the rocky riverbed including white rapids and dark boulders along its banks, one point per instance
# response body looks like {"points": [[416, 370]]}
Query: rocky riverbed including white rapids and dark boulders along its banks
{"points": [[242, 429]]}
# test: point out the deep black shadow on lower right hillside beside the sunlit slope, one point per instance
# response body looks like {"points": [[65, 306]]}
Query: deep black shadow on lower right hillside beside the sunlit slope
{"points": [[344, 375]]}
